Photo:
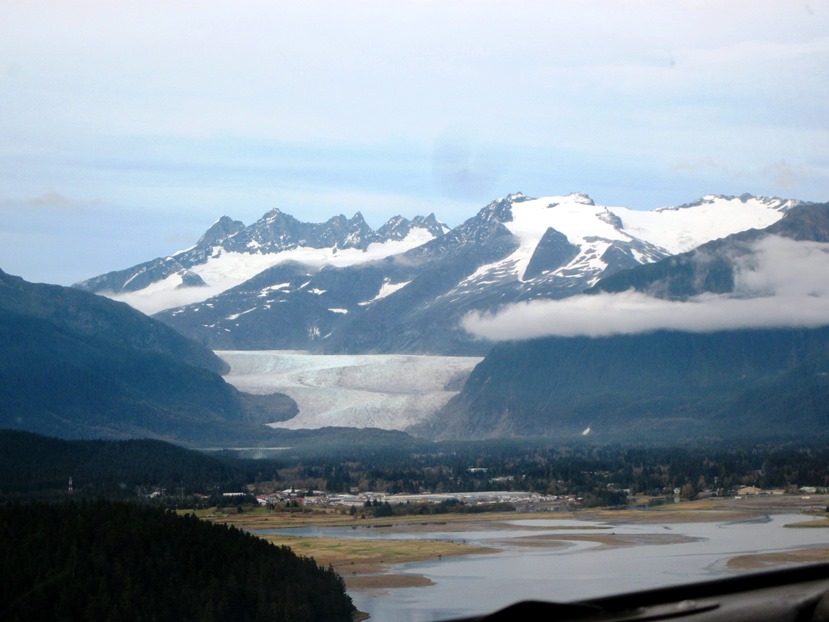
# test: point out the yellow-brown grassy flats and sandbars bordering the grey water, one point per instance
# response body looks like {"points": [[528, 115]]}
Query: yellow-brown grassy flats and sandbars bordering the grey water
{"points": [[367, 564]]}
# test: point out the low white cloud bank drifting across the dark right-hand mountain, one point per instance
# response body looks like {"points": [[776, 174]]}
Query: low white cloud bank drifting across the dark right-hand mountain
{"points": [[781, 283]]}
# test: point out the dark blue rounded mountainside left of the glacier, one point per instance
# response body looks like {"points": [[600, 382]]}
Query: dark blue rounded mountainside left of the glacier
{"points": [[74, 365]]}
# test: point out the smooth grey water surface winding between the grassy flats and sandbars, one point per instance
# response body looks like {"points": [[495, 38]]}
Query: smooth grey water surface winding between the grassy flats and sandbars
{"points": [[476, 584]]}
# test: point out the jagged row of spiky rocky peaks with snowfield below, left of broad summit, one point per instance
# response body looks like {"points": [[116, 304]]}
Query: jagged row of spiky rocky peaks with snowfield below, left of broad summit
{"points": [[230, 253]]}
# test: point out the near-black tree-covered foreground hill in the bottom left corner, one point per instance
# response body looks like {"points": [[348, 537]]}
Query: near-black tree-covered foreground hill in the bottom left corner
{"points": [[113, 561]]}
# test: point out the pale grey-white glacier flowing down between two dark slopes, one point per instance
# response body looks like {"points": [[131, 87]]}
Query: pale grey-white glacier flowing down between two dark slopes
{"points": [[388, 391]]}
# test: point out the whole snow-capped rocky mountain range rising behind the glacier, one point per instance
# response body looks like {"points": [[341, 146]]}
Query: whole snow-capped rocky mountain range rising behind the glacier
{"points": [[339, 287]]}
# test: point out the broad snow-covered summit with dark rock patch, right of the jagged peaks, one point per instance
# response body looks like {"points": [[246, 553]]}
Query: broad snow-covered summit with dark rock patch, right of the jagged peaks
{"points": [[604, 239]]}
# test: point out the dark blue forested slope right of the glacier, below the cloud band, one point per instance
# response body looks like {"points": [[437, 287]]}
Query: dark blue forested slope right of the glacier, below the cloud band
{"points": [[737, 384]]}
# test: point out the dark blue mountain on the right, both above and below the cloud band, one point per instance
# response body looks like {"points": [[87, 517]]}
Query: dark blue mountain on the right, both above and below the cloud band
{"points": [[758, 383]]}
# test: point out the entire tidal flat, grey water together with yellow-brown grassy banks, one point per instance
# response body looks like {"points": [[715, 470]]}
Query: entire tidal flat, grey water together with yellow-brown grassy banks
{"points": [[409, 568]]}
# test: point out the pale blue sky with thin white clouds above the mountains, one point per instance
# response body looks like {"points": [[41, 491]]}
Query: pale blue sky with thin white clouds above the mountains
{"points": [[127, 129]]}
